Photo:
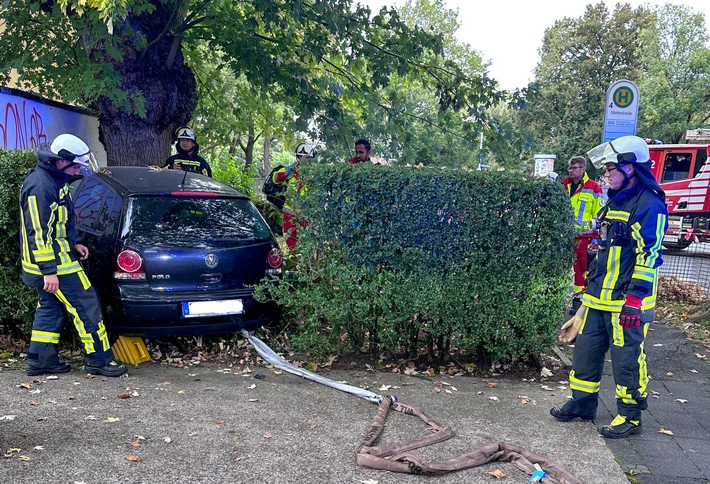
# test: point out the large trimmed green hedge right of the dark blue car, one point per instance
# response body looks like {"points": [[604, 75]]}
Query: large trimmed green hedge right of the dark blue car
{"points": [[399, 257]]}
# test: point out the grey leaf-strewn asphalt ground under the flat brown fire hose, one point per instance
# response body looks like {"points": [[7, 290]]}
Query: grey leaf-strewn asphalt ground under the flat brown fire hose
{"points": [[208, 423]]}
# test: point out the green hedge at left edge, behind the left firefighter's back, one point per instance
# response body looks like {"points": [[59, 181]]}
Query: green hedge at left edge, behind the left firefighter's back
{"points": [[18, 301]]}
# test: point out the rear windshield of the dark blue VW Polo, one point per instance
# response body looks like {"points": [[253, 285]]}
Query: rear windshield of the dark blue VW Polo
{"points": [[193, 222]]}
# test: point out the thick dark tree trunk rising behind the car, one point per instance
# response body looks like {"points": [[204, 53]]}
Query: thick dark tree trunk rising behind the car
{"points": [[159, 74]]}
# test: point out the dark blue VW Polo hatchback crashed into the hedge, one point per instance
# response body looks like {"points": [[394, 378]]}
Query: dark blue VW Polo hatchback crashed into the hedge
{"points": [[174, 253]]}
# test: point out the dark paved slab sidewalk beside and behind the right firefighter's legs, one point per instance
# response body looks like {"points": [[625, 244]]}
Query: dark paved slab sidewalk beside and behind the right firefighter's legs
{"points": [[679, 402]]}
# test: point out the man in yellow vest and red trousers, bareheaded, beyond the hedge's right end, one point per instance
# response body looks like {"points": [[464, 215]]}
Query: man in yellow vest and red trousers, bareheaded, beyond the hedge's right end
{"points": [[586, 197]]}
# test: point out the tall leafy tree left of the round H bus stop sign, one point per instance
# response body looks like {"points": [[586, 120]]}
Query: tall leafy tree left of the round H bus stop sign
{"points": [[580, 58]]}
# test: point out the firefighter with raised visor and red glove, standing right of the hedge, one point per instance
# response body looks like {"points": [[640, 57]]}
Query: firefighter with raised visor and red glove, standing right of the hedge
{"points": [[621, 289]]}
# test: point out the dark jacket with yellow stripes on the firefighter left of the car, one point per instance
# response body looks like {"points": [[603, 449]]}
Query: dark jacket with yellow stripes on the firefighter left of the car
{"points": [[47, 232]]}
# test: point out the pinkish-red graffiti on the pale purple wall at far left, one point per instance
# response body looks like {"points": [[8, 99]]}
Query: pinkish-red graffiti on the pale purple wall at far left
{"points": [[21, 126]]}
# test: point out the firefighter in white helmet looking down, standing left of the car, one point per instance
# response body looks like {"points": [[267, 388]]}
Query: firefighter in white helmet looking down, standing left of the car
{"points": [[50, 262]]}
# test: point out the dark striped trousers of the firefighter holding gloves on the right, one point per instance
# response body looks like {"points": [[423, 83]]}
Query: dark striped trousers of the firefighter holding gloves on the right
{"points": [[600, 332]]}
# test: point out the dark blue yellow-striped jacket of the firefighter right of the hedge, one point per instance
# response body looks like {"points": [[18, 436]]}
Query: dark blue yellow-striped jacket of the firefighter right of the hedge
{"points": [[631, 230]]}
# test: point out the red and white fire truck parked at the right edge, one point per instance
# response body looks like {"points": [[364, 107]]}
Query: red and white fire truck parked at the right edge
{"points": [[685, 177]]}
